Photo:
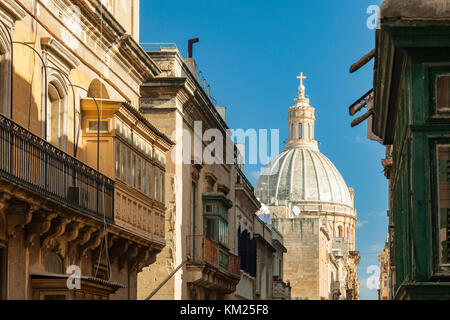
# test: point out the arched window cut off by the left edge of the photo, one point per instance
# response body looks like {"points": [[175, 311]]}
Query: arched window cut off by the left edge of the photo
{"points": [[5, 72]]}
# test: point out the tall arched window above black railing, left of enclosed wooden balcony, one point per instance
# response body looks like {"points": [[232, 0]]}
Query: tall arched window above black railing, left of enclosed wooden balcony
{"points": [[58, 113]]}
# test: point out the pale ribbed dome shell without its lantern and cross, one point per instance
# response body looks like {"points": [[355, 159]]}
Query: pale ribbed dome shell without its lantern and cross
{"points": [[302, 175]]}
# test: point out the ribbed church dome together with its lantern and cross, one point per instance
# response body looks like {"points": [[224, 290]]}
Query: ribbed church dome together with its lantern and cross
{"points": [[302, 176]]}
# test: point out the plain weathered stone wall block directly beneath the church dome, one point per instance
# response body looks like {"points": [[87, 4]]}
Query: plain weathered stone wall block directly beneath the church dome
{"points": [[301, 263]]}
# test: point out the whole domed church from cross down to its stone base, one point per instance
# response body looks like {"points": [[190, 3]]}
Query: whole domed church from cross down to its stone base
{"points": [[313, 209]]}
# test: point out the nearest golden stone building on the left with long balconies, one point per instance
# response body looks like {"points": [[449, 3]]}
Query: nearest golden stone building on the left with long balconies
{"points": [[82, 172]]}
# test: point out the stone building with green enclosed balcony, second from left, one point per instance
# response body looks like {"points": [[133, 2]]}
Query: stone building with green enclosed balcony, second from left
{"points": [[201, 214]]}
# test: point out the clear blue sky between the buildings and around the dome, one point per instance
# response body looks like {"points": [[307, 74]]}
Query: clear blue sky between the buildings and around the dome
{"points": [[251, 52]]}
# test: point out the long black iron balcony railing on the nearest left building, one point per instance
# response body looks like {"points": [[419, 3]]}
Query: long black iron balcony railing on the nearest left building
{"points": [[38, 166]]}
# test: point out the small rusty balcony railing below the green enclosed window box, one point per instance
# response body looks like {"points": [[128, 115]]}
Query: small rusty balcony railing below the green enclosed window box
{"points": [[202, 250]]}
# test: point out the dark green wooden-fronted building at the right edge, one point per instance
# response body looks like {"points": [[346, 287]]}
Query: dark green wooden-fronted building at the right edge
{"points": [[409, 115]]}
